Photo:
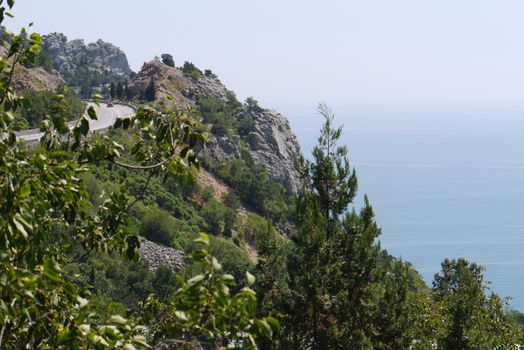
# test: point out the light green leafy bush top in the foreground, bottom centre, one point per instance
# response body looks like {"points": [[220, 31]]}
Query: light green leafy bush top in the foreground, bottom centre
{"points": [[204, 311]]}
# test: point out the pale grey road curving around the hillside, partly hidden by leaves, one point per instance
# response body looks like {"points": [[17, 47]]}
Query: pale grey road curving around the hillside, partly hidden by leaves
{"points": [[106, 118]]}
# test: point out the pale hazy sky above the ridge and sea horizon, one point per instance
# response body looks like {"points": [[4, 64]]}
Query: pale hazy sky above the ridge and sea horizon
{"points": [[378, 53]]}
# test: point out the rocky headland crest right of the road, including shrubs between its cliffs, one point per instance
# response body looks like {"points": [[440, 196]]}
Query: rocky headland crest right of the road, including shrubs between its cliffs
{"points": [[264, 134]]}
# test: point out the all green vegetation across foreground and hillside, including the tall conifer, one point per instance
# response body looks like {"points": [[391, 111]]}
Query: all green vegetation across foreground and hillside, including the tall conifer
{"points": [[72, 209]]}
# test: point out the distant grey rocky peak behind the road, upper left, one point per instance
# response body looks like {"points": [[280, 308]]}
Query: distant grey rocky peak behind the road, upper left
{"points": [[68, 56]]}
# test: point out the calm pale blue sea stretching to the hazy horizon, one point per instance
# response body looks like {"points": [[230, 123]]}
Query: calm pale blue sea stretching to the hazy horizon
{"points": [[443, 184]]}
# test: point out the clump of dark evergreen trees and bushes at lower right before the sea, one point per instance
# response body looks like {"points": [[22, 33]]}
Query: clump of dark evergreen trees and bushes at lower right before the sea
{"points": [[351, 294]]}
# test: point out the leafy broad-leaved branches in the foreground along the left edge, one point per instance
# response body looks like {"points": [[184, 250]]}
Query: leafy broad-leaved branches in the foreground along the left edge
{"points": [[39, 307]]}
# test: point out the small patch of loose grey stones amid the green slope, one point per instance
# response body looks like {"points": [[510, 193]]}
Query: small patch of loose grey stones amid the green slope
{"points": [[158, 255]]}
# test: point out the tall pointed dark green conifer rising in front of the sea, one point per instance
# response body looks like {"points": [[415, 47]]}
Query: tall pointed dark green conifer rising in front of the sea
{"points": [[335, 290]]}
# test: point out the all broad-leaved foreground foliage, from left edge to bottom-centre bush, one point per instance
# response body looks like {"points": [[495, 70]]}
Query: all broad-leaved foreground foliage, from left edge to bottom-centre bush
{"points": [[48, 226]]}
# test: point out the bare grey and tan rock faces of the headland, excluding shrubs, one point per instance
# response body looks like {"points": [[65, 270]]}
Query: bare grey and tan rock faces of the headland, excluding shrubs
{"points": [[269, 141]]}
